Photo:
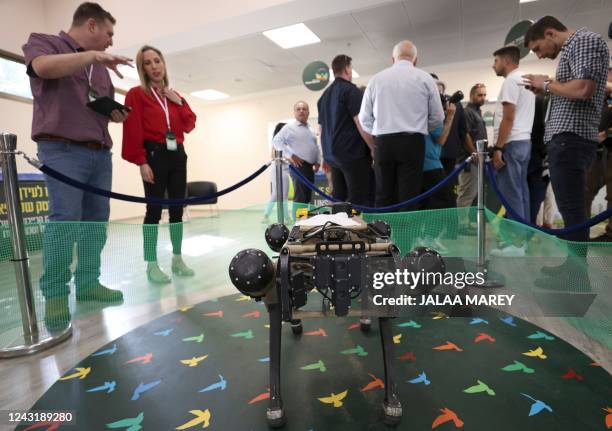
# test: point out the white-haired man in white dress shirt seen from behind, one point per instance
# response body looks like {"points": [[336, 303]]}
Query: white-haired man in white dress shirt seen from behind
{"points": [[400, 106]]}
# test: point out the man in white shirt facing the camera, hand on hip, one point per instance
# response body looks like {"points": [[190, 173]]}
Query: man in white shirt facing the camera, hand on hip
{"points": [[299, 144]]}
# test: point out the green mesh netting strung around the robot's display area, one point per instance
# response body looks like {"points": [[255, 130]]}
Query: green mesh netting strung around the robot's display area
{"points": [[581, 295]]}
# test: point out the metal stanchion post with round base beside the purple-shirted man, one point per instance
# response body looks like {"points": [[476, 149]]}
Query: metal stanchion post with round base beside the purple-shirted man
{"points": [[32, 340]]}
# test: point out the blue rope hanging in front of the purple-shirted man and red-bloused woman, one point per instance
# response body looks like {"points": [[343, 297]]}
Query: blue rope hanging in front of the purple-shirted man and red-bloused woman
{"points": [[153, 201]]}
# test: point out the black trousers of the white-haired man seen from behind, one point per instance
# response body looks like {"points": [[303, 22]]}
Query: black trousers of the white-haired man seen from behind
{"points": [[399, 168]]}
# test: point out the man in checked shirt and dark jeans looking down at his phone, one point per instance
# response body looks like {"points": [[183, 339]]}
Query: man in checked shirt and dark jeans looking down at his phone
{"points": [[577, 96]]}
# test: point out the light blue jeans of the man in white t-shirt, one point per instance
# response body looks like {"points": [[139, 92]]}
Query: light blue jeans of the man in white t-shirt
{"points": [[512, 178]]}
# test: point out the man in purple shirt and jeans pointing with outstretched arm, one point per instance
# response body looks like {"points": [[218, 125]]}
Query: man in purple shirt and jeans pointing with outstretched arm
{"points": [[66, 72]]}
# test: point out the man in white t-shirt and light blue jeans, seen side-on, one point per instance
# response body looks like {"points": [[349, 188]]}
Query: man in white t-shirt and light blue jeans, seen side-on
{"points": [[513, 123]]}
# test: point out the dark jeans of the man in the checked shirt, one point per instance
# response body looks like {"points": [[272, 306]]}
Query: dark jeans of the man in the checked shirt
{"points": [[569, 158]]}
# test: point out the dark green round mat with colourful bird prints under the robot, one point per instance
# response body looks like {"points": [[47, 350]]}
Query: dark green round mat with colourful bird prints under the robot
{"points": [[206, 367]]}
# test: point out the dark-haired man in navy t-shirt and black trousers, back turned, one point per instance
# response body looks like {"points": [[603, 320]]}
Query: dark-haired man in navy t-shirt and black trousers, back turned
{"points": [[347, 148]]}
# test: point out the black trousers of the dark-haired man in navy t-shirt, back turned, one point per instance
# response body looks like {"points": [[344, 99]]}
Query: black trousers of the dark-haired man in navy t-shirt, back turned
{"points": [[351, 181]]}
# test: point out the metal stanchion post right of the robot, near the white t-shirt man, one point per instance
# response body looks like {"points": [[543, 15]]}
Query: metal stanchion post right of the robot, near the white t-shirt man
{"points": [[481, 148]]}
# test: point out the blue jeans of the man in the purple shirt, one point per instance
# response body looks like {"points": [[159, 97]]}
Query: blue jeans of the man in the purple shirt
{"points": [[69, 204]]}
